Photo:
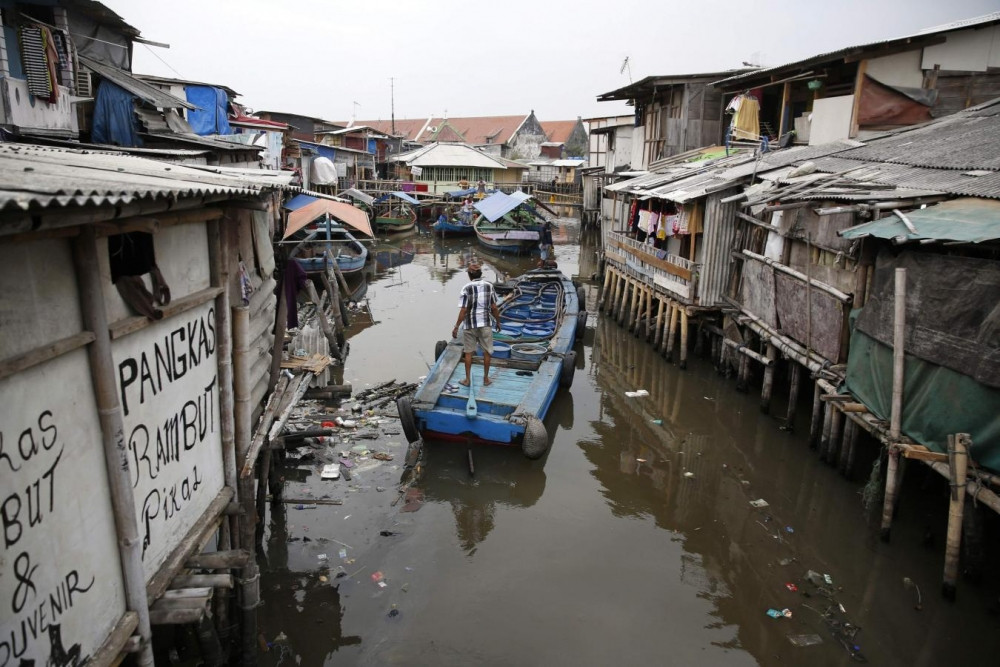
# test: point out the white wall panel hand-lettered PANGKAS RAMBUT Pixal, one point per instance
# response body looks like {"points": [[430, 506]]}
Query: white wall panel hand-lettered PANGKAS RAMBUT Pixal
{"points": [[169, 393]]}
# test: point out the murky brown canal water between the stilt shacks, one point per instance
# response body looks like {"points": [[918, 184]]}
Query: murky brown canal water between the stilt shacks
{"points": [[632, 542]]}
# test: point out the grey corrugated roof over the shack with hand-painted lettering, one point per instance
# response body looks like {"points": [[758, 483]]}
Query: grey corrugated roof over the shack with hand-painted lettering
{"points": [[34, 177]]}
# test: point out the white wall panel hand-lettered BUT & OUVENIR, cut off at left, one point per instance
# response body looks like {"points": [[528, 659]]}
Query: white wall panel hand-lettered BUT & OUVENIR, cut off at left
{"points": [[60, 575]]}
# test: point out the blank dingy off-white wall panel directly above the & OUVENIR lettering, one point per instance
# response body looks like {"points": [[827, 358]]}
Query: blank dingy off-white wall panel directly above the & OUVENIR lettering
{"points": [[40, 301]]}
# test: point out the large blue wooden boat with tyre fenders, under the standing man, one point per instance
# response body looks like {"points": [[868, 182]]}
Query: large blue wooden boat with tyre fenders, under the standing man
{"points": [[511, 409]]}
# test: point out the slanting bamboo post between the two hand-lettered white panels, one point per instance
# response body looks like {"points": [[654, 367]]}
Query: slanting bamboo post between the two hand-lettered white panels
{"points": [[116, 455]]}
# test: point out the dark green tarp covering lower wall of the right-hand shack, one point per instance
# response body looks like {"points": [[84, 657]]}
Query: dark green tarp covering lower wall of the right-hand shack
{"points": [[937, 401]]}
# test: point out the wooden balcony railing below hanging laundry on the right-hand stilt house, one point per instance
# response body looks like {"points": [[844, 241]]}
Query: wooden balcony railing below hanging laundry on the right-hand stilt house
{"points": [[669, 273]]}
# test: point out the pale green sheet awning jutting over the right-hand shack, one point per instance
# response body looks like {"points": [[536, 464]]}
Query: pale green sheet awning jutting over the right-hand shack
{"points": [[962, 220]]}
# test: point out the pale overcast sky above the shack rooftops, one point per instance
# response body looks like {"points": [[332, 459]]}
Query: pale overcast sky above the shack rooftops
{"points": [[319, 57]]}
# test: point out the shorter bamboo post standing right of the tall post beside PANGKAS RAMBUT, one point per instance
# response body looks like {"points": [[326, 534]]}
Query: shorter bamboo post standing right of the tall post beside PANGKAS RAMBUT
{"points": [[250, 583]]}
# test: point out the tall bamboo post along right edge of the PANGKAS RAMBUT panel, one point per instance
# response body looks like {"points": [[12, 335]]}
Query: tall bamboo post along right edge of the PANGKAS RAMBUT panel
{"points": [[219, 276]]}
